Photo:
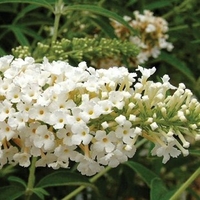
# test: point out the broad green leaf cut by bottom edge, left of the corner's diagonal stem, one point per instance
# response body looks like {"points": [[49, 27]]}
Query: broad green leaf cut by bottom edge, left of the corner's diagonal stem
{"points": [[158, 189]]}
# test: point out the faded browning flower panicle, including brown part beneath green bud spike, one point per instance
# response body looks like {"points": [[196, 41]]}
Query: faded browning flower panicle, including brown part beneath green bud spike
{"points": [[151, 39]]}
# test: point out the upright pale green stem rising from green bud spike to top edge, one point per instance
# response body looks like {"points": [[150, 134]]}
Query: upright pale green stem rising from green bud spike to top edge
{"points": [[58, 12]]}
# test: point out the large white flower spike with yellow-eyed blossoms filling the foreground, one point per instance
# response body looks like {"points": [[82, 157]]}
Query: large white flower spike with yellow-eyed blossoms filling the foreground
{"points": [[59, 113]]}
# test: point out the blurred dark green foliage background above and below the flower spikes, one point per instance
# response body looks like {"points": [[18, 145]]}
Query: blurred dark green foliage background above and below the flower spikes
{"points": [[26, 23]]}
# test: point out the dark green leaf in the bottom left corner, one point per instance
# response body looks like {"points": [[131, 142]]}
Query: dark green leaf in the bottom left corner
{"points": [[11, 192]]}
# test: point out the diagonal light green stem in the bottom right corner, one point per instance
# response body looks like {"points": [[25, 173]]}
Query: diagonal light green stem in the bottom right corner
{"points": [[186, 184]]}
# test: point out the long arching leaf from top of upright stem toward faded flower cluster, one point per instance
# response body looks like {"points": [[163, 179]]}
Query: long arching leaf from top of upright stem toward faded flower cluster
{"points": [[101, 11]]}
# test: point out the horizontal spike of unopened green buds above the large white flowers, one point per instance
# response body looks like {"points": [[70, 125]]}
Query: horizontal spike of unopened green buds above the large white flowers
{"points": [[79, 49]]}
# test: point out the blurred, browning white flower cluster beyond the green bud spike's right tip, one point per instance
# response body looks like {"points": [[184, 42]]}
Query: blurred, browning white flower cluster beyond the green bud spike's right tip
{"points": [[152, 34]]}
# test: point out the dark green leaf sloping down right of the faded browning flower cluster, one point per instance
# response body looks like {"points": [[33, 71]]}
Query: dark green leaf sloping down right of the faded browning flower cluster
{"points": [[178, 64]]}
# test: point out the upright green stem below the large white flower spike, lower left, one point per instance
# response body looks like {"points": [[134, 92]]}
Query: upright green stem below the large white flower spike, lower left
{"points": [[31, 179]]}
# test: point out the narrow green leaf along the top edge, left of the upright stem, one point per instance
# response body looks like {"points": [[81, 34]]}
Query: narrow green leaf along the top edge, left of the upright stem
{"points": [[37, 2]]}
